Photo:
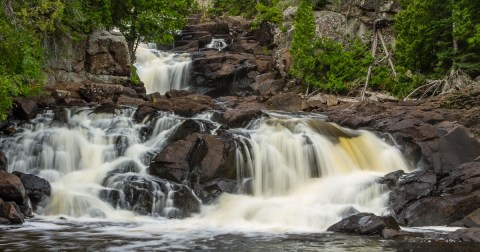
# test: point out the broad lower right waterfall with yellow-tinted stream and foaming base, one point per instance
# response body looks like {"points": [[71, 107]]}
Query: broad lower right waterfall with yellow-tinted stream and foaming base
{"points": [[306, 174]]}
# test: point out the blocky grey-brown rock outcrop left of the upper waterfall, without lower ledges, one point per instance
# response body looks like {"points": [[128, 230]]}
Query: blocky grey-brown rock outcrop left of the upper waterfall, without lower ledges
{"points": [[100, 57]]}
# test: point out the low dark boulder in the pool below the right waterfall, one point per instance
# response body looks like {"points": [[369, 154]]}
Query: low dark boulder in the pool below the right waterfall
{"points": [[364, 224]]}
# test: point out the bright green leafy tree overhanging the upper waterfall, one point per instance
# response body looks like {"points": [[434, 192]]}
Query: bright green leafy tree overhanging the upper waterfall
{"points": [[150, 20]]}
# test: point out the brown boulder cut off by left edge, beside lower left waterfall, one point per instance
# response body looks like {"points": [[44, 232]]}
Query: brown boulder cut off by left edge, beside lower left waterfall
{"points": [[11, 188]]}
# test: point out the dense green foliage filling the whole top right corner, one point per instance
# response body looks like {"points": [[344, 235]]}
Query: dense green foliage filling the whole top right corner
{"points": [[435, 36]]}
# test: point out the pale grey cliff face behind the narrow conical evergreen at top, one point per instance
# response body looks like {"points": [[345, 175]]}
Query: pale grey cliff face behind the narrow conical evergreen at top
{"points": [[338, 20]]}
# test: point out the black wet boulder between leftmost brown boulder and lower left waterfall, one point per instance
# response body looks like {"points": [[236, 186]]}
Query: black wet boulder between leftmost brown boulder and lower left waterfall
{"points": [[36, 188]]}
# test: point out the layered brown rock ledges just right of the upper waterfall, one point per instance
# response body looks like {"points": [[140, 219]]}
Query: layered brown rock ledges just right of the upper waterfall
{"points": [[232, 70]]}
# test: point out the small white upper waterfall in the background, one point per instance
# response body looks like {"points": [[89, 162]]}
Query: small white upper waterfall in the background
{"points": [[162, 71]]}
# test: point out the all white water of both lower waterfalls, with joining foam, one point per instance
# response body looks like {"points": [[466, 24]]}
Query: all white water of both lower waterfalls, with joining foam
{"points": [[304, 174]]}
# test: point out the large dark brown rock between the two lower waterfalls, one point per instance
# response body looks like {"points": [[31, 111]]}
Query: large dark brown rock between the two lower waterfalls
{"points": [[205, 162]]}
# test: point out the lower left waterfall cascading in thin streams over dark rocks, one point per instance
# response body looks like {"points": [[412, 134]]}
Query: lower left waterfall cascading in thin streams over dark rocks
{"points": [[89, 156]]}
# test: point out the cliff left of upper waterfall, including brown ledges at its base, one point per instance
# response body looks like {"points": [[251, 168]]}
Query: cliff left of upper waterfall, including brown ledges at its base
{"points": [[95, 68]]}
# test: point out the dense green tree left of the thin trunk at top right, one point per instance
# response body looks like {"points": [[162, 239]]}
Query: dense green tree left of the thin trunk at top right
{"points": [[424, 35]]}
